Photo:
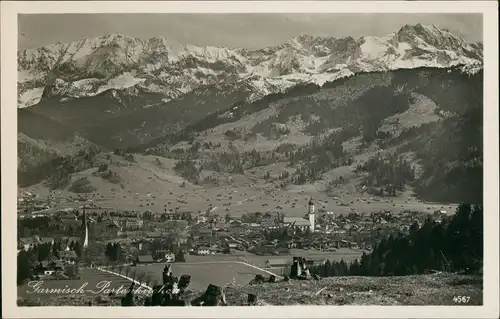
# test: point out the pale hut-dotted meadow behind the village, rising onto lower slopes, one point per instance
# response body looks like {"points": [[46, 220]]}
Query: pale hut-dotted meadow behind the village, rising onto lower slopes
{"points": [[147, 187]]}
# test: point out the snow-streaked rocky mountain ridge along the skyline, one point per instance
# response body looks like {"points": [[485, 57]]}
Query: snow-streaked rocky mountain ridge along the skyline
{"points": [[120, 63]]}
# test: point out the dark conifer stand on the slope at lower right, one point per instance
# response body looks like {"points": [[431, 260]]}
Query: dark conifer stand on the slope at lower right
{"points": [[452, 245]]}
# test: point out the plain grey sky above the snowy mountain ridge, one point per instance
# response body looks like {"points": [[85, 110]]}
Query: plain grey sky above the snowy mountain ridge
{"points": [[231, 30]]}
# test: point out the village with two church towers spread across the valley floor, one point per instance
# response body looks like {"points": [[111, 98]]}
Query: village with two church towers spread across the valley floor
{"points": [[144, 237]]}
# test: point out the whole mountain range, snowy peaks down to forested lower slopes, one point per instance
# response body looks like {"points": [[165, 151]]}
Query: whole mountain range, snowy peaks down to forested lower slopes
{"points": [[322, 105]]}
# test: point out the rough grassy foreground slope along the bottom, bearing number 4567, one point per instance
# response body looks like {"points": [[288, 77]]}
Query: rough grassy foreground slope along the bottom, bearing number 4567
{"points": [[419, 290]]}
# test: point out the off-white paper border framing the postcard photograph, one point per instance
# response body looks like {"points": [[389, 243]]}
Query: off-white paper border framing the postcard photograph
{"points": [[489, 9]]}
